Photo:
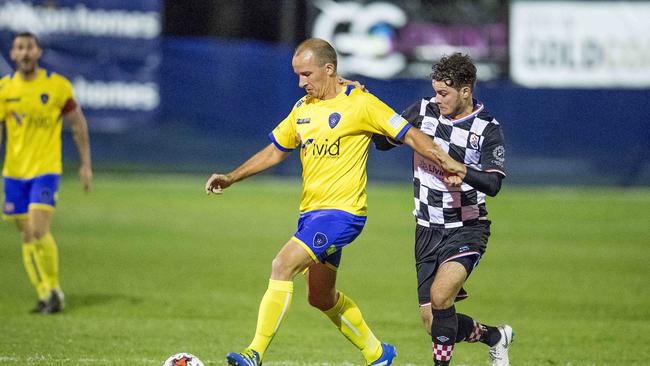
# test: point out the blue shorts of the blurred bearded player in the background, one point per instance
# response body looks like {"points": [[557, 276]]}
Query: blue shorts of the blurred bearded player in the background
{"points": [[21, 194]]}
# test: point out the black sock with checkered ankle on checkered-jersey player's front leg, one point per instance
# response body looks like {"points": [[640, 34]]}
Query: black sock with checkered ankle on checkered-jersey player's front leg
{"points": [[443, 334]]}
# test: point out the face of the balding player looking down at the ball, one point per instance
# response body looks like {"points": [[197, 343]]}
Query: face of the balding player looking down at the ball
{"points": [[311, 77]]}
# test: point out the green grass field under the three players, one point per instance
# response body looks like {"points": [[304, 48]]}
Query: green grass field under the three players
{"points": [[151, 267]]}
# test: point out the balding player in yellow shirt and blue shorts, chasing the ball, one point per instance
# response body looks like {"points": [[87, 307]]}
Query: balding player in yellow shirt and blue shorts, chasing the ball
{"points": [[331, 127]]}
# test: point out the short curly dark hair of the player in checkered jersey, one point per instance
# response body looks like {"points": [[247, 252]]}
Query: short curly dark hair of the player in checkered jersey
{"points": [[456, 71]]}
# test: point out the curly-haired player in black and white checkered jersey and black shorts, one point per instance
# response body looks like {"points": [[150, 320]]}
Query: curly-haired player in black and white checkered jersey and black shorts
{"points": [[452, 226]]}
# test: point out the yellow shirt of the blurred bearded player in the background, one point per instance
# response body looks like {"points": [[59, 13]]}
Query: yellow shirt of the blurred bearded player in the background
{"points": [[33, 114]]}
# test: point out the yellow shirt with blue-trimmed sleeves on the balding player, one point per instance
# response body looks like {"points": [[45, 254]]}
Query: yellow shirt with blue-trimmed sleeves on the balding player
{"points": [[333, 136]]}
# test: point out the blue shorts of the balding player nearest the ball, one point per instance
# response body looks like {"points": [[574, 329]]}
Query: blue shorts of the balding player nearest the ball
{"points": [[324, 233]]}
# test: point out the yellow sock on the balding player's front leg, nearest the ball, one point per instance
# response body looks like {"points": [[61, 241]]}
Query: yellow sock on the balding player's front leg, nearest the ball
{"points": [[273, 307]]}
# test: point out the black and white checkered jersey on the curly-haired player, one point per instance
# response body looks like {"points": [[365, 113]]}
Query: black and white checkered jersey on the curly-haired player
{"points": [[475, 140]]}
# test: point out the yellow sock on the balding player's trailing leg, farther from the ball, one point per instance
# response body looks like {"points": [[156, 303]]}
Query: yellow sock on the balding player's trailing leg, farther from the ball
{"points": [[348, 319]]}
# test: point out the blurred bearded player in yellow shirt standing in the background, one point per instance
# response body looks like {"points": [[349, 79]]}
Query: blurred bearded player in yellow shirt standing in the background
{"points": [[33, 102]]}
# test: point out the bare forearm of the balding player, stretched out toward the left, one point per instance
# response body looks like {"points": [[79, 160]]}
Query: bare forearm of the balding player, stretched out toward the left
{"points": [[262, 160]]}
